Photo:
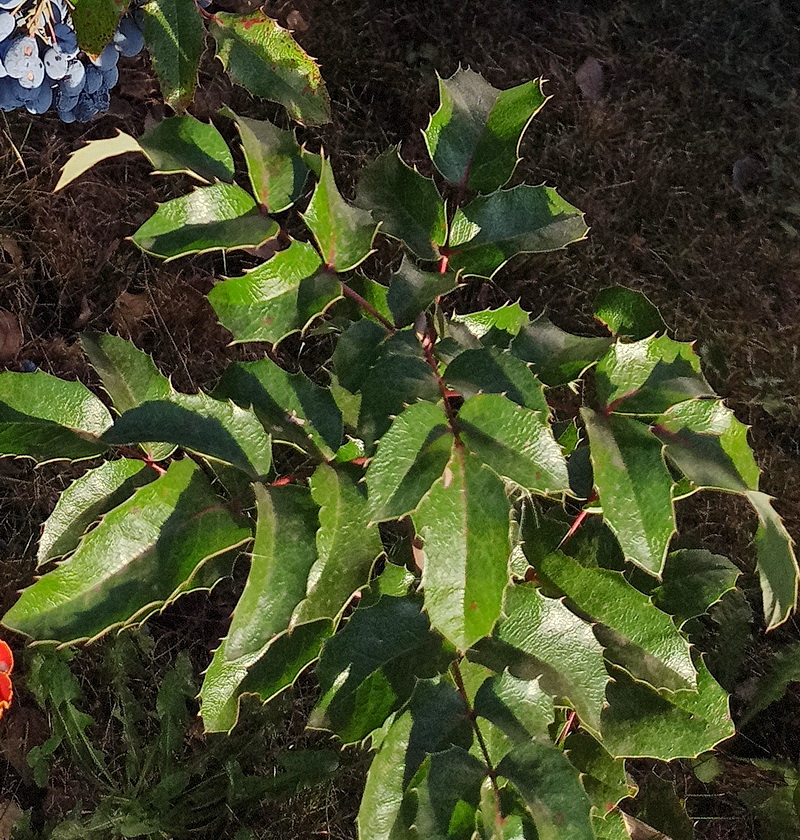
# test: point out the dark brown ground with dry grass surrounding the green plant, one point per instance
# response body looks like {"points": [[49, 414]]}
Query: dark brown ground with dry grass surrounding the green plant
{"points": [[647, 150]]}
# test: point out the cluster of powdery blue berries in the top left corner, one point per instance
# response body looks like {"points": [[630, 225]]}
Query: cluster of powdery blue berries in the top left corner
{"points": [[41, 66]]}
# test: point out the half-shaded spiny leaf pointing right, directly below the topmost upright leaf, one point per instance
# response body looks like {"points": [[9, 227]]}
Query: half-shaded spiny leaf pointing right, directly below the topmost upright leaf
{"points": [[490, 230]]}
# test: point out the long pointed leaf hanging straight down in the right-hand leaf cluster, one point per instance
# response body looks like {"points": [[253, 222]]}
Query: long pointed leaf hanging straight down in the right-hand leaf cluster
{"points": [[634, 487]]}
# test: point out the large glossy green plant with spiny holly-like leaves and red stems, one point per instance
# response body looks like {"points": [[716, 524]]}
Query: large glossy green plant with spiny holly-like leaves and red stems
{"points": [[485, 587]]}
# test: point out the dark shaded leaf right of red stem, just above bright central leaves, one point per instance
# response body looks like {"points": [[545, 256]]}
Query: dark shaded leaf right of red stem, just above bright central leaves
{"points": [[492, 371]]}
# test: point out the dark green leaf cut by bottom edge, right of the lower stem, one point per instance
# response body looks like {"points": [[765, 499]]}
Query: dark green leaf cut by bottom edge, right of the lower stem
{"points": [[551, 789]]}
